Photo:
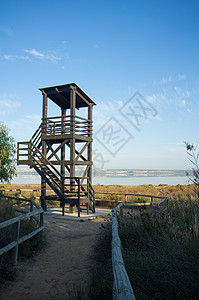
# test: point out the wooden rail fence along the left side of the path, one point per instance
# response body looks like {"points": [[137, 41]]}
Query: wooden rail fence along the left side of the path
{"points": [[17, 240]]}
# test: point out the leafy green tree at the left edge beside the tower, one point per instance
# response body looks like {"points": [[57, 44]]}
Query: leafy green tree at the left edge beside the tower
{"points": [[7, 155]]}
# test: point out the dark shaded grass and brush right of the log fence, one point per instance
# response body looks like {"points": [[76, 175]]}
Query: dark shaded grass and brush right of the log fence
{"points": [[160, 250]]}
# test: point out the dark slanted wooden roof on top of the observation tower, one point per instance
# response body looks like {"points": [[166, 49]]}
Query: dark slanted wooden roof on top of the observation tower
{"points": [[60, 95]]}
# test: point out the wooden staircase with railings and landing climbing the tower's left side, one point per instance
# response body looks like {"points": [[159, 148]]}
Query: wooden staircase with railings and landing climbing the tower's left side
{"points": [[67, 189]]}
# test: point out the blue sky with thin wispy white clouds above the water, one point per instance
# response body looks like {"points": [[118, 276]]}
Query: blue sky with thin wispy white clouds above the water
{"points": [[112, 50]]}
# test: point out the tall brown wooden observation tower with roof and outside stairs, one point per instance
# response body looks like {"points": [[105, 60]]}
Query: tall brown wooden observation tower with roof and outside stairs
{"points": [[61, 146]]}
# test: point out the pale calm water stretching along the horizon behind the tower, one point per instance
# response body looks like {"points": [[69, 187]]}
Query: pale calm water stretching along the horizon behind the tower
{"points": [[123, 180]]}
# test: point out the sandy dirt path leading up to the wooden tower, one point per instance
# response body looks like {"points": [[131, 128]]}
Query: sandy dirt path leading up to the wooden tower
{"points": [[63, 265]]}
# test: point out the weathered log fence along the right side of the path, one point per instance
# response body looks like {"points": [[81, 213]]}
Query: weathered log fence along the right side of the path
{"points": [[122, 289]]}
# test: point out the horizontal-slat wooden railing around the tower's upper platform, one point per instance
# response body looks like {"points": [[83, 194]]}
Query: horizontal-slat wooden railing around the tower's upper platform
{"points": [[62, 125]]}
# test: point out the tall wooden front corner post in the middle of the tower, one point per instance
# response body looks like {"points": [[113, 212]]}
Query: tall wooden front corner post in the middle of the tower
{"points": [[72, 145]]}
